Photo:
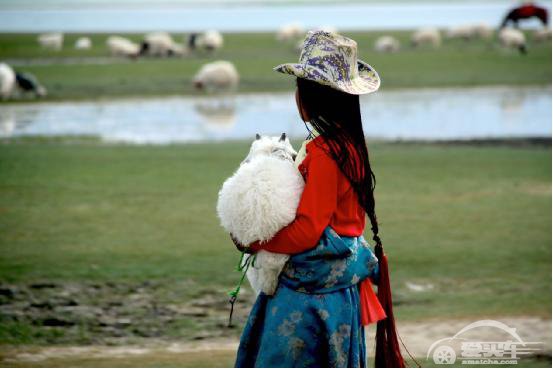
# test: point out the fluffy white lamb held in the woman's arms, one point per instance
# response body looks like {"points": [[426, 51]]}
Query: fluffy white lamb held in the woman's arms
{"points": [[259, 199]]}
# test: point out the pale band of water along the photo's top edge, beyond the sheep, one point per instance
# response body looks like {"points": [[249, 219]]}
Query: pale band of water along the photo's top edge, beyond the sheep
{"points": [[184, 16]]}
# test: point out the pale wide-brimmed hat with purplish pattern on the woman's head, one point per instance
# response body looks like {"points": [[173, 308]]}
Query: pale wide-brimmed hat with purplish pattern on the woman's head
{"points": [[331, 59]]}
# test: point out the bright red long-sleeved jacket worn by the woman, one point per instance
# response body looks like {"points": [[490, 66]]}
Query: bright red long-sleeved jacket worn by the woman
{"points": [[327, 199]]}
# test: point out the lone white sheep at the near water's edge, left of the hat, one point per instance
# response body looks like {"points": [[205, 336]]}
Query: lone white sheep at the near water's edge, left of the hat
{"points": [[217, 77]]}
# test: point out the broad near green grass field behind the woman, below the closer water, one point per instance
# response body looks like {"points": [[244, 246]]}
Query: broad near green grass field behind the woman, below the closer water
{"points": [[473, 221]]}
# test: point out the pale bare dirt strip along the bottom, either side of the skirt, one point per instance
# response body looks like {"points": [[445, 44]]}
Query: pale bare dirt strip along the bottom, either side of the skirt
{"points": [[417, 336]]}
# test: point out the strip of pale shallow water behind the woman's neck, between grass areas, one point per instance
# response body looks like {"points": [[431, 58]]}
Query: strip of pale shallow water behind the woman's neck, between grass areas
{"points": [[421, 114]]}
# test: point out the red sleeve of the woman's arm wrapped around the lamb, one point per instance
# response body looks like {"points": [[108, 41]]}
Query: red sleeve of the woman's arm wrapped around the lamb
{"points": [[316, 207]]}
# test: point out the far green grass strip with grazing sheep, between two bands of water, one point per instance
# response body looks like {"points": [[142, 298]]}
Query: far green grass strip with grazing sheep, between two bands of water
{"points": [[456, 63]]}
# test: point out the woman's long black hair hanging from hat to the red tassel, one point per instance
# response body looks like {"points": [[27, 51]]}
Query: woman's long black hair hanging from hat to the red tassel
{"points": [[336, 116]]}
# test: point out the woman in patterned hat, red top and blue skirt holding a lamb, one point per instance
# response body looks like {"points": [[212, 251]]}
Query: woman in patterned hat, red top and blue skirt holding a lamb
{"points": [[324, 296]]}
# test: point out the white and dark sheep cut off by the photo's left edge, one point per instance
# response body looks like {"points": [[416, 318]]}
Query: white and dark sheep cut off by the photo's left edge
{"points": [[11, 81]]}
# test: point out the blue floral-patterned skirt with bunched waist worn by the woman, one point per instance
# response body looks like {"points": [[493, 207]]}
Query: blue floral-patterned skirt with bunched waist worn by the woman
{"points": [[313, 319]]}
